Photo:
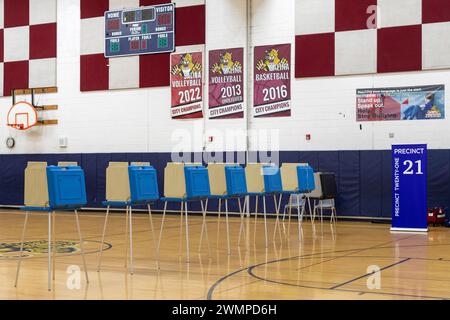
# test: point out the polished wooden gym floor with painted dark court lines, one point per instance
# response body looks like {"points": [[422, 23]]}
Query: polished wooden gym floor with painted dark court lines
{"points": [[329, 263]]}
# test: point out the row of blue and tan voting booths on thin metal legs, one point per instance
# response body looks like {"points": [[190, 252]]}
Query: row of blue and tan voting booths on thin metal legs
{"points": [[62, 188]]}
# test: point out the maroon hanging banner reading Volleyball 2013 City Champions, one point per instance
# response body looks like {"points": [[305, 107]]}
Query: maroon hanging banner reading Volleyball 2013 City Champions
{"points": [[226, 83]]}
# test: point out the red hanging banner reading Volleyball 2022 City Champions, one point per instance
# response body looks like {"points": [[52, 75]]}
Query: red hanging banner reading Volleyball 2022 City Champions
{"points": [[186, 85]]}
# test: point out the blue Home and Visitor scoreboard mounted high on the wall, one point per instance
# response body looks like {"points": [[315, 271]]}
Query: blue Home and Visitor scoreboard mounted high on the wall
{"points": [[144, 30]]}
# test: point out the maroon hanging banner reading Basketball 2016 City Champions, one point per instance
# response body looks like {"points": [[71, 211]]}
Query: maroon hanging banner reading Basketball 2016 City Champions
{"points": [[272, 81]]}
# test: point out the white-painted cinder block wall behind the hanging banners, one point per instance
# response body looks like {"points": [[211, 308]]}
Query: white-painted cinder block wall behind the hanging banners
{"points": [[139, 120]]}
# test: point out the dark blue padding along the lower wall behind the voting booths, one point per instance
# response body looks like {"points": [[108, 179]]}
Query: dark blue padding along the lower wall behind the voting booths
{"points": [[363, 177]]}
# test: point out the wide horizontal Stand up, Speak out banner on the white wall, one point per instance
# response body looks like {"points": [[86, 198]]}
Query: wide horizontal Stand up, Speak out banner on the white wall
{"points": [[405, 103]]}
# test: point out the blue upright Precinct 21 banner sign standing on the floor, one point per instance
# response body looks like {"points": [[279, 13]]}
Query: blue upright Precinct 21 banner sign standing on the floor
{"points": [[409, 188]]}
